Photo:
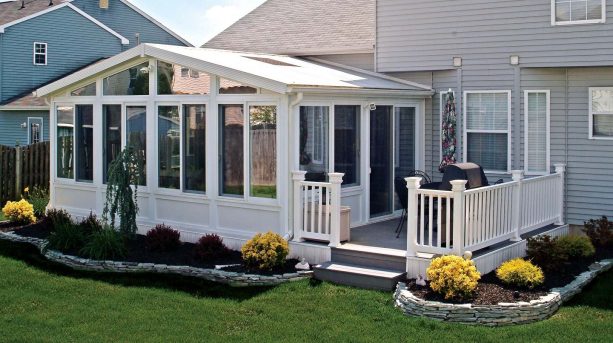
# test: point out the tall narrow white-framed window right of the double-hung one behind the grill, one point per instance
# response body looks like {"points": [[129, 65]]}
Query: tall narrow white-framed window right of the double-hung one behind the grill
{"points": [[536, 132]]}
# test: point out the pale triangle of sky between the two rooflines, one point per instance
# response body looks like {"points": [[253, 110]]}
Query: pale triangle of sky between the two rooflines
{"points": [[197, 20]]}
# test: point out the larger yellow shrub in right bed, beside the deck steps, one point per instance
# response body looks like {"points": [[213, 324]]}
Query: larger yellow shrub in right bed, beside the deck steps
{"points": [[453, 277]]}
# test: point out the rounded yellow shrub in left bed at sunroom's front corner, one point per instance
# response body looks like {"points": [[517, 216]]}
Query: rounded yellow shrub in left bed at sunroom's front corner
{"points": [[265, 251]]}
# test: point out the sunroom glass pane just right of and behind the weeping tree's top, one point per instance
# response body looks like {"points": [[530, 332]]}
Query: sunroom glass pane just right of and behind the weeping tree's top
{"points": [[136, 136]]}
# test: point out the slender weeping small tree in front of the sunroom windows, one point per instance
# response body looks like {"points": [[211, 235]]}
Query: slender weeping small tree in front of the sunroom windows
{"points": [[124, 172]]}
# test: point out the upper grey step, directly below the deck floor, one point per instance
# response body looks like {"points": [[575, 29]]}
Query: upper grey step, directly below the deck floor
{"points": [[378, 258]]}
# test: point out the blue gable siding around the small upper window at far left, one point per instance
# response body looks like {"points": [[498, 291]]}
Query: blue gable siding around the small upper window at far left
{"points": [[68, 49]]}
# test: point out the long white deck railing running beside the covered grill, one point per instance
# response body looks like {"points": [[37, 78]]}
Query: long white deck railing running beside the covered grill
{"points": [[452, 222]]}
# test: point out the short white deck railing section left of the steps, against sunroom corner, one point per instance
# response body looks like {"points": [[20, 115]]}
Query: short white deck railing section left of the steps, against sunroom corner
{"points": [[317, 208]]}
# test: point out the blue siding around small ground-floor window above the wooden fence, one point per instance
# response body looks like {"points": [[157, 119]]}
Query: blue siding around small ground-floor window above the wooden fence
{"points": [[11, 131]]}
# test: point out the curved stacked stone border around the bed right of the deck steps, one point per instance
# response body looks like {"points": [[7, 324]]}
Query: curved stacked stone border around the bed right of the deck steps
{"points": [[503, 313]]}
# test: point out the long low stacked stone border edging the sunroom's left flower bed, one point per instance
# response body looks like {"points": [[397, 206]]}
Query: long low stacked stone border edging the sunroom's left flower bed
{"points": [[233, 279]]}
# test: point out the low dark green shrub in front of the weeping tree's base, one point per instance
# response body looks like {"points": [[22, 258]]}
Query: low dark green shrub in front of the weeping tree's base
{"points": [[106, 244]]}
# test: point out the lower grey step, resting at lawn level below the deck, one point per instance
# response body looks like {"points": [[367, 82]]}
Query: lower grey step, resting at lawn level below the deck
{"points": [[358, 276]]}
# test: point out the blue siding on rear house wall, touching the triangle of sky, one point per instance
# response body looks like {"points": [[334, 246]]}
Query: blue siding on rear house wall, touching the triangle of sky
{"points": [[127, 22]]}
